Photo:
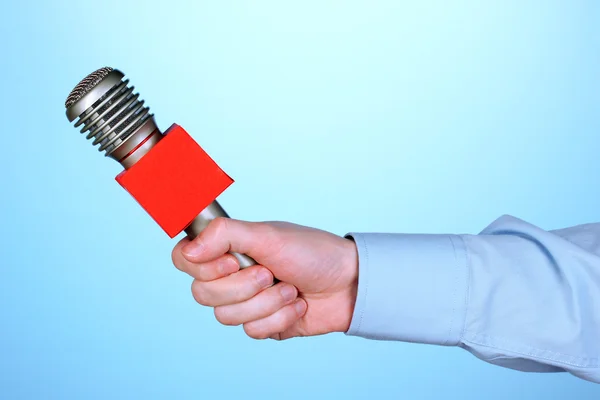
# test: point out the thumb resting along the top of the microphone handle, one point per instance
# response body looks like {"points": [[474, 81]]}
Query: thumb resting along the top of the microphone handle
{"points": [[225, 235]]}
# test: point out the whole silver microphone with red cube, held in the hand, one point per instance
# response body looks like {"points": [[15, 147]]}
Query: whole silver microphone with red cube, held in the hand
{"points": [[168, 173]]}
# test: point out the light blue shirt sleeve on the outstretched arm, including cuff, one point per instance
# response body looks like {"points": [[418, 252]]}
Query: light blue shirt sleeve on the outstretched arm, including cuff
{"points": [[515, 295]]}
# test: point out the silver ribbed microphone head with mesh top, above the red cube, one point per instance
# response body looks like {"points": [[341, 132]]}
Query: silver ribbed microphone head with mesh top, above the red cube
{"points": [[111, 114]]}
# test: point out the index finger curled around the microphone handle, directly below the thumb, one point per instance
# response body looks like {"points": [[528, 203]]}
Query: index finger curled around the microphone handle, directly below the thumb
{"points": [[208, 271]]}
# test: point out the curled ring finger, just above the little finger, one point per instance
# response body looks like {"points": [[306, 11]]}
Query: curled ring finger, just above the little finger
{"points": [[260, 306]]}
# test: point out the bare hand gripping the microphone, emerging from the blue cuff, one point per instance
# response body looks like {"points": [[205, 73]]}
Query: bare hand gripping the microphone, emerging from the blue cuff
{"points": [[318, 273]]}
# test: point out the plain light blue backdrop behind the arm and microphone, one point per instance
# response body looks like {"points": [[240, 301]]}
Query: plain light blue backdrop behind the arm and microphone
{"points": [[422, 117]]}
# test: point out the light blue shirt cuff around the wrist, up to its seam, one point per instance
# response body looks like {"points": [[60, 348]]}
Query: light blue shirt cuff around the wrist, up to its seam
{"points": [[411, 288]]}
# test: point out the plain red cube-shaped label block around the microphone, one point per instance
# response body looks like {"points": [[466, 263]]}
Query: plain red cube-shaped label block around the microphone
{"points": [[175, 181]]}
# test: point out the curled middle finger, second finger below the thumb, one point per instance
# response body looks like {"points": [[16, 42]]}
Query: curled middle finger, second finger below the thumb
{"points": [[234, 288]]}
